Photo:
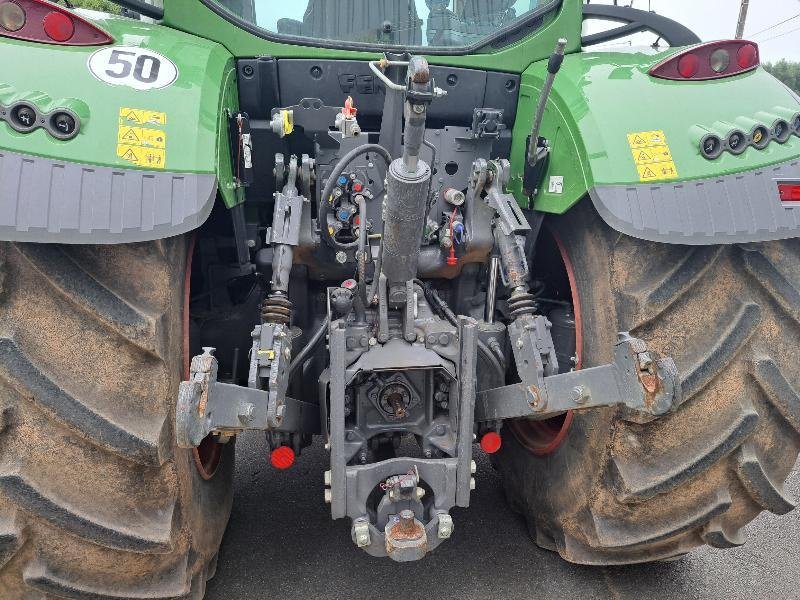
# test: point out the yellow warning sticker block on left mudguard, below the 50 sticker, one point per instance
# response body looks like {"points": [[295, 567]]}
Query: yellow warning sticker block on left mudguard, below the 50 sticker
{"points": [[142, 146]]}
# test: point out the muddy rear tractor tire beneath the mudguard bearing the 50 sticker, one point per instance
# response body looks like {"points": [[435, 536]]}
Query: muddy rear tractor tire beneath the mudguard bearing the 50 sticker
{"points": [[96, 500]]}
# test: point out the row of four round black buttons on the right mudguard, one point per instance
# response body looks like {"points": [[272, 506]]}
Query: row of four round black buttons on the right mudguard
{"points": [[759, 136]]}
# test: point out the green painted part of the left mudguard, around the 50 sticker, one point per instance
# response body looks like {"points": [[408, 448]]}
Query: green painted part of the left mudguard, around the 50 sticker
{"points": [[196, 104]]}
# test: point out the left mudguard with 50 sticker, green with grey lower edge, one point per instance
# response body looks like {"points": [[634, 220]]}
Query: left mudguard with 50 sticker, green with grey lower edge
{"points": [[150, 155]]}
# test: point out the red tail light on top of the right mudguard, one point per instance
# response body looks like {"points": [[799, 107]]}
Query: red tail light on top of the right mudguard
{"points": [[709, 61]]}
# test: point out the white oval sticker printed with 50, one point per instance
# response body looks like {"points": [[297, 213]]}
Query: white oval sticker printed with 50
{"points": [[134, 67]]}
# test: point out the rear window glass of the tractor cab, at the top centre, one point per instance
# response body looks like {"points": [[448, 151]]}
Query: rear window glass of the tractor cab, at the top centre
{"points": [[387, 23]]}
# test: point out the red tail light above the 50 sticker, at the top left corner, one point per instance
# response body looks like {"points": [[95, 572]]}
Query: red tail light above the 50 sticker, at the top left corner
{"points": [[42, 21]]}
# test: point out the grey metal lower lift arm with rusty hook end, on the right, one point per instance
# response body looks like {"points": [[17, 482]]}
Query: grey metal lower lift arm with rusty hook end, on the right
{"points": [[636, 380]]}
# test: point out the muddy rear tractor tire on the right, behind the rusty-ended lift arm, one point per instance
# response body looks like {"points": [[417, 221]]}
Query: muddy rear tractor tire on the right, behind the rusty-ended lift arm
{"points": [[600, 489]]}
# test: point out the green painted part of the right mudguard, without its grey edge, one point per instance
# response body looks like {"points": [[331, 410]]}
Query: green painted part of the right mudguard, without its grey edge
{"points": [[601, 97]]}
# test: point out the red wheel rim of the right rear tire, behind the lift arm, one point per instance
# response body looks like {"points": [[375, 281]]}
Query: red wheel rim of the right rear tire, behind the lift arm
{"points": [[544, 437]]}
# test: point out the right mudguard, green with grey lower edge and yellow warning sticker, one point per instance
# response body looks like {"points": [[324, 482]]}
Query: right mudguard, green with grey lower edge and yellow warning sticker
{"points": [[632, 143]]}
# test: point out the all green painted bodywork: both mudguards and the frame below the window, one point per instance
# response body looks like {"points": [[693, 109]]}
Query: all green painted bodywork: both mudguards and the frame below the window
{"points": [[598, 98]]}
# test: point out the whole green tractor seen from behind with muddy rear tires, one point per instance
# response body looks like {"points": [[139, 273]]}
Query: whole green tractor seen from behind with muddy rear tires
{"points": [[419, 230]]}
